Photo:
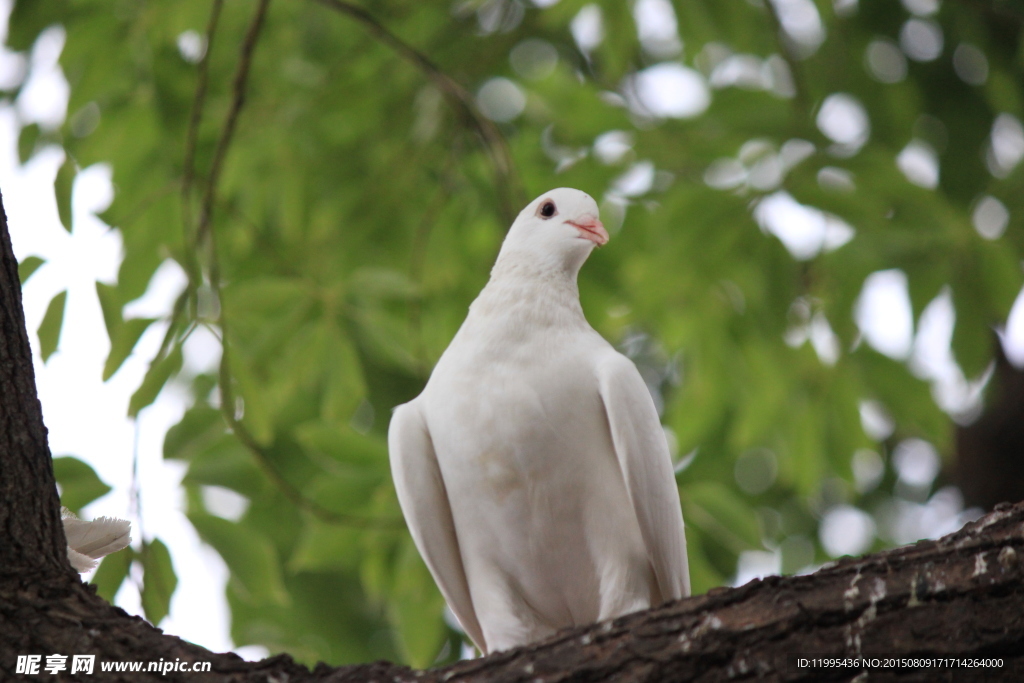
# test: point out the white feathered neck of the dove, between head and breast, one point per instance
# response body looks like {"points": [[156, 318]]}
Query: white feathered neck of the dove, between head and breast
{"points": [[527, 296]]}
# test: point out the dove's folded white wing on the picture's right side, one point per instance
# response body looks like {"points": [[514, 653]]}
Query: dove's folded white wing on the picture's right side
{"points": [[644, 456]]}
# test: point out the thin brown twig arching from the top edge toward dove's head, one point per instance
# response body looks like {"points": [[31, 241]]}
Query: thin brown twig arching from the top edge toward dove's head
{"points": [[509, 192]]}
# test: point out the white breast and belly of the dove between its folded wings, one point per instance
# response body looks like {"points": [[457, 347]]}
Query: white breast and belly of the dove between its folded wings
{"points": [[542, 514]]}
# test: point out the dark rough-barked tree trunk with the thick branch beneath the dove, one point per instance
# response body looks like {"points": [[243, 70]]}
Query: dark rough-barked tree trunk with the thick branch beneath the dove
{"points": [[959, 597]]}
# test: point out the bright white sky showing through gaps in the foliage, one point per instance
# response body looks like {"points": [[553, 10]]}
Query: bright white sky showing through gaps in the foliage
{"points": [[87, 416]]}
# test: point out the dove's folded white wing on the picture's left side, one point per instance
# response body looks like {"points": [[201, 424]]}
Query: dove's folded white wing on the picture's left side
{"points": [[424, 503]]}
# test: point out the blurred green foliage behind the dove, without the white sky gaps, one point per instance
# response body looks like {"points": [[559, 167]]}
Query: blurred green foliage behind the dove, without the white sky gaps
{"points": [[335, 229]]}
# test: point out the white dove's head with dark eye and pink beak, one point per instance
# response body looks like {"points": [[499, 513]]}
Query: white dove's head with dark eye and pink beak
{"points": [[560, 229]]}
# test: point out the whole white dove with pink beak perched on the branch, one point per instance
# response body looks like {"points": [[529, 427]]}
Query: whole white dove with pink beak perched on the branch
{"points": [[533, 471]]}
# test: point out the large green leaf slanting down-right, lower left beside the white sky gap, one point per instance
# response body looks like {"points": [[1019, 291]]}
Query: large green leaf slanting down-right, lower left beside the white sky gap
{"points": [[249, 556]]}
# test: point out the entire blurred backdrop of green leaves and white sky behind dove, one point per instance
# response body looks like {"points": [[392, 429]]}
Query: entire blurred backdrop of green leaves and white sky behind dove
{"points": [[816, 209]]}
